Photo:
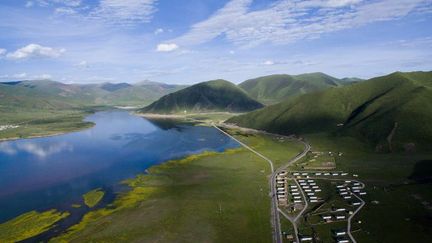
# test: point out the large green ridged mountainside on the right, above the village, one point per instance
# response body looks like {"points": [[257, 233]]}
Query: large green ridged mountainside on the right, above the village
{"points": [[395, 108]]}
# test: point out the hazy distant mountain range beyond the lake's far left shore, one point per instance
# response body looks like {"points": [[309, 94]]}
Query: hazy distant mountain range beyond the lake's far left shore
{"points": [[50, 94]]}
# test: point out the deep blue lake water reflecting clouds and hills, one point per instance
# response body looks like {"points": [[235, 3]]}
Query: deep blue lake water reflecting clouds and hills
{"points": [[54, 172]]}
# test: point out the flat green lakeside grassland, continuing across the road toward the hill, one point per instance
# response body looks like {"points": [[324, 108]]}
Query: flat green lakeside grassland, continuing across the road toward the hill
{"points": [[210, 197]]}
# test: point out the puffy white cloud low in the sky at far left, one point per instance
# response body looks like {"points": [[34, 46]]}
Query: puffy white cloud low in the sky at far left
{"points": [[35, 50]]}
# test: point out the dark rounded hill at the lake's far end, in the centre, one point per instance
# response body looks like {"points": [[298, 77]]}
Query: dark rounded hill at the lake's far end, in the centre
{"points": [[216, 95]]}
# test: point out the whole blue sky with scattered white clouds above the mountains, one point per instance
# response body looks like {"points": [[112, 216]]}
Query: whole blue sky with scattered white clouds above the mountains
{"points": [[190, 41]]}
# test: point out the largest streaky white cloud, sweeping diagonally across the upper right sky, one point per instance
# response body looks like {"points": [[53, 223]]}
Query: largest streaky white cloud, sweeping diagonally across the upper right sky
{"points": [[291, 20]]}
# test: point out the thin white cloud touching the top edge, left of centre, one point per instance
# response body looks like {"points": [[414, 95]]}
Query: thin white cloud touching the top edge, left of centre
{"points": [[124, 12]]}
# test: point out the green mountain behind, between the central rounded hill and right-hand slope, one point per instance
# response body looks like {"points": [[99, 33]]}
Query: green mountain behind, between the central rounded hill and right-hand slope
{"points": [[275, 88]]}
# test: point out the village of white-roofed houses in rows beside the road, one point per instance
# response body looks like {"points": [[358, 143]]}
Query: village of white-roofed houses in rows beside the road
{"points": [[319, 204]]}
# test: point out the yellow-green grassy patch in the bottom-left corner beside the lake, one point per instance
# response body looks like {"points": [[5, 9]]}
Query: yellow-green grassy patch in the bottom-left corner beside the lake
{"points": [[29, 224]]}
